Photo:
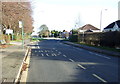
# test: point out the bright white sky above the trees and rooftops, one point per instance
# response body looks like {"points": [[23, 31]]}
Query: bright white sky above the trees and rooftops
{"points": [[65, 14]]}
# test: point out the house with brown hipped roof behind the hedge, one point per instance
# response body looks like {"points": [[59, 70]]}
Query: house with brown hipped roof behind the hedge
{"points": [[88, 28]]}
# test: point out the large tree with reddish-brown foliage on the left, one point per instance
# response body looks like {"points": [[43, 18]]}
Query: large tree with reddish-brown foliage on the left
{"points": [[13, 12]]}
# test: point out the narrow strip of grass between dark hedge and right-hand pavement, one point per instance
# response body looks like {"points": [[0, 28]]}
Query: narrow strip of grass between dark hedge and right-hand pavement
{"points": [[101, 47]]}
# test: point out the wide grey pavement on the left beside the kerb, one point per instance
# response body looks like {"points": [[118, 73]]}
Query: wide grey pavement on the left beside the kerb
{"points": [[12, 58]]}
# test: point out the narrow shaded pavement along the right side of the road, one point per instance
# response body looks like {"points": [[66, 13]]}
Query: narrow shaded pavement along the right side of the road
{"points": [[111, 53]]}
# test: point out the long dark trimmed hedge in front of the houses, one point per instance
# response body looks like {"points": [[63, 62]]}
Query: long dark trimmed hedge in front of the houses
{"points": [[110, 39]]}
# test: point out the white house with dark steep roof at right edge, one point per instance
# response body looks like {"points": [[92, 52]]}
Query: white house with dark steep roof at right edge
{"points": [[115, 26]]}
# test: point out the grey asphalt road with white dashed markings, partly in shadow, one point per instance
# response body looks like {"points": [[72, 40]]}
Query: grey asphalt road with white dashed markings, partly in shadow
{"points": [[53, 61]]}
